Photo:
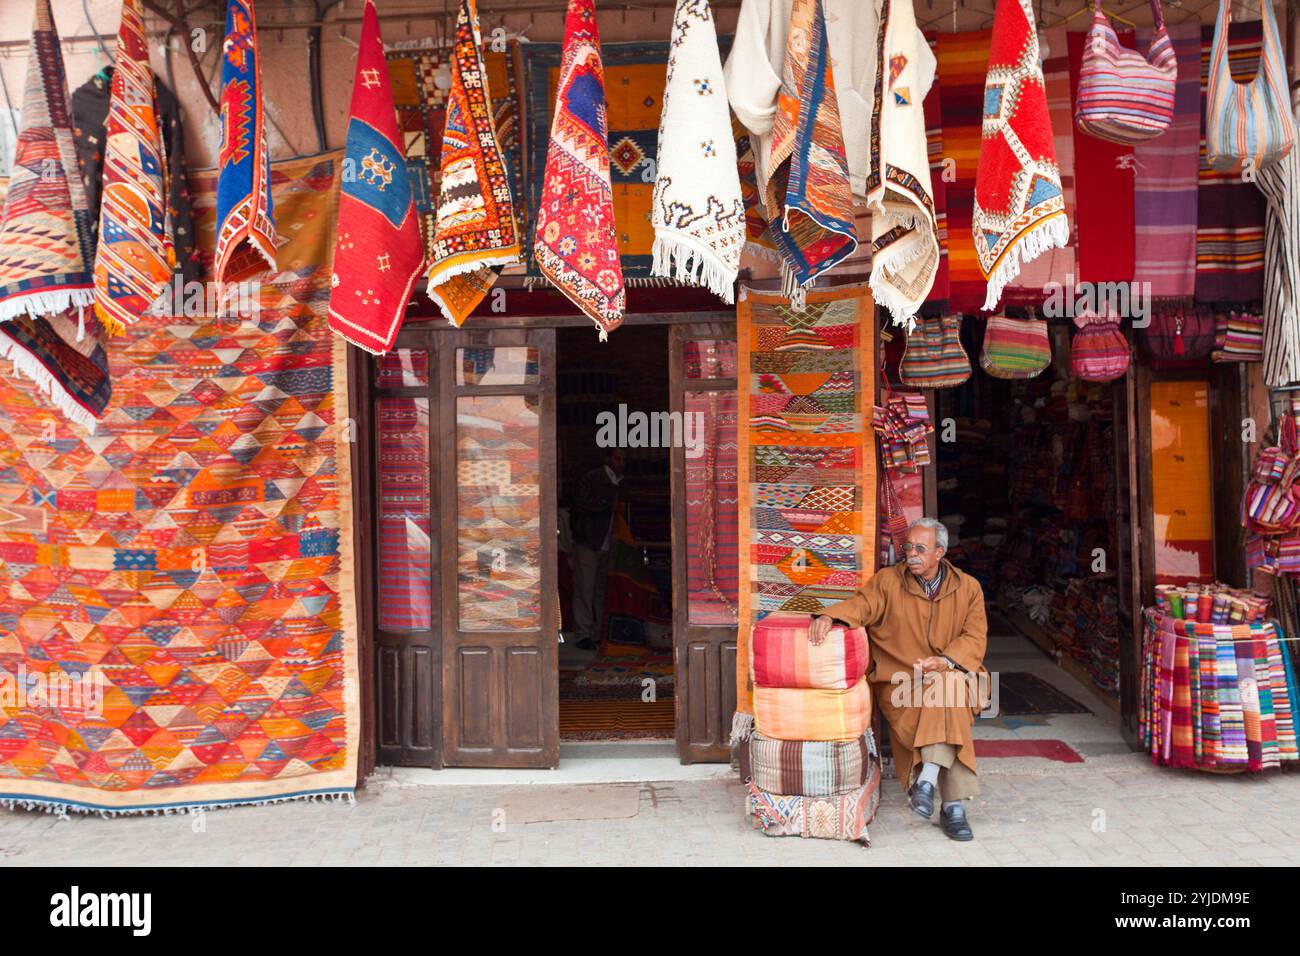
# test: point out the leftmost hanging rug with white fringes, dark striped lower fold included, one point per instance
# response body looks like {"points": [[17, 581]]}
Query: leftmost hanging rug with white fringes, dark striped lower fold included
{"points": [[47, 328]]}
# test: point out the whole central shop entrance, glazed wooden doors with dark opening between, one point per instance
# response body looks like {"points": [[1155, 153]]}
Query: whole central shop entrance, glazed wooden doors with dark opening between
{"points": [[479, 442]]}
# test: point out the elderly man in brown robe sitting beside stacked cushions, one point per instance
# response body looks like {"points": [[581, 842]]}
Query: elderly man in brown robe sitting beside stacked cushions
{"points": [[928, 630]]}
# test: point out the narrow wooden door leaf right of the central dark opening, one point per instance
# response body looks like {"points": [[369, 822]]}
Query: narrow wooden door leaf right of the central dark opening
{"points": [[705, 557]]}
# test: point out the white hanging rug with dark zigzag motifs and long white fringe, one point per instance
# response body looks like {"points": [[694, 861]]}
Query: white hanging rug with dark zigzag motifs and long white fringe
{"points": [[699, 213]]}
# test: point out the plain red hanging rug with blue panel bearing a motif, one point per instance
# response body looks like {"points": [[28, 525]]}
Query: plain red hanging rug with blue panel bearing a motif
{"points": [[379, 254]]}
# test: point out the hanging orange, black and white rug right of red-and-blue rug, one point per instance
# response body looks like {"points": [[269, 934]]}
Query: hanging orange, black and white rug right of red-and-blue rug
{"points": [[475, 230]]}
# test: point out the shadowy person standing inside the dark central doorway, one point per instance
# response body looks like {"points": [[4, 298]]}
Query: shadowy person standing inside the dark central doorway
{"points": [[592, 524]]}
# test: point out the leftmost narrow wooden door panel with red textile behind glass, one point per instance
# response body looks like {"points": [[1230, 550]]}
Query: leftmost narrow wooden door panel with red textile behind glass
{"points": [[400, 504]]}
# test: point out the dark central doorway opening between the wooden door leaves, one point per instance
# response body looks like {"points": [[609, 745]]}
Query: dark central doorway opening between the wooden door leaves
{"points": [[617, 677]]}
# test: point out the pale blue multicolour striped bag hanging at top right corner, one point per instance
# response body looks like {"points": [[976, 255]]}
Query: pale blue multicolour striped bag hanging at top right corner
{"points": [[1249, 123]]}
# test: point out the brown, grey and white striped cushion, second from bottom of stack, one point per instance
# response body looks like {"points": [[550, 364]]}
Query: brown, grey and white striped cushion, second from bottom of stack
{"points": [[808, 768]]}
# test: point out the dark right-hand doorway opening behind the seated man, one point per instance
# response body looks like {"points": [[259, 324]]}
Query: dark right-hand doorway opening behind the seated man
{"points": [[1028, 488]]}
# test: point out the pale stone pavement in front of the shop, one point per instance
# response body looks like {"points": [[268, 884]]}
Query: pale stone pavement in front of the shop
{"points": [[1113, 808]]}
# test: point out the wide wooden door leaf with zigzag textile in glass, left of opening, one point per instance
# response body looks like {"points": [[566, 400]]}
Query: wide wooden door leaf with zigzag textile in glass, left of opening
{"points": [[499, 582]]}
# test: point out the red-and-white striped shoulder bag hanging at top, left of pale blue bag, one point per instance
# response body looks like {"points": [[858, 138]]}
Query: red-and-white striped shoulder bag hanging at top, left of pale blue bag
{"points": [[1125, 97]]}
